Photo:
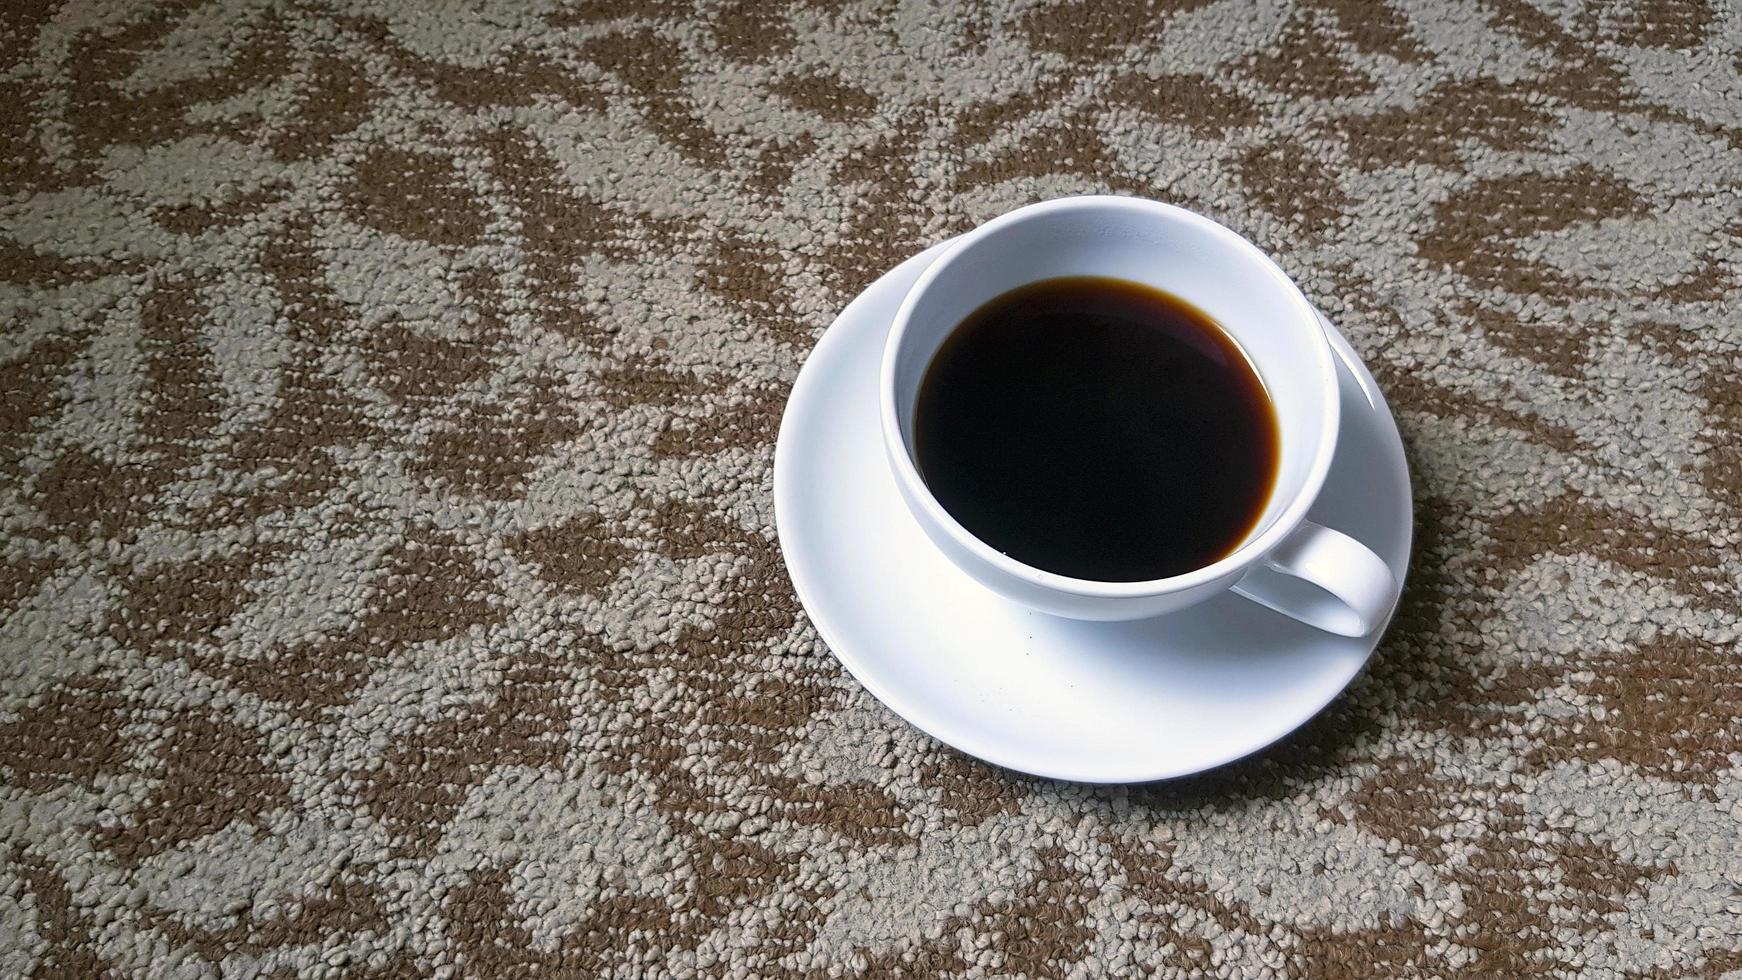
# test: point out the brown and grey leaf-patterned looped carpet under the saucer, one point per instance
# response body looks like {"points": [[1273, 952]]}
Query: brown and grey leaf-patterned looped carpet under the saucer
{"points": [[389, 572]]}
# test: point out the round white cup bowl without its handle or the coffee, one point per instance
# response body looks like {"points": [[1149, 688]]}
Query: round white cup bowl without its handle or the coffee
{"points": [[1152, 245]]}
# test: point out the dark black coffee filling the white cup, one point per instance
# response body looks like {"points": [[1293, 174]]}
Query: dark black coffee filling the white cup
{"points": [[1097, 429]]}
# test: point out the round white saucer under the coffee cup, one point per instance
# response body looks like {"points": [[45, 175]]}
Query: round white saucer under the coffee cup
{"points": [[1062, 699]]}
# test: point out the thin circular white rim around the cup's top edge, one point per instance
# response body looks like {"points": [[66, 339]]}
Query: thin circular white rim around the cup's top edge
{"points": [[921, 495]]}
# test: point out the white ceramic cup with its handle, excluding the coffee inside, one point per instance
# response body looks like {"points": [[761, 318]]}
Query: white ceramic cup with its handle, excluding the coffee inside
{"points": [[1299, 568]]}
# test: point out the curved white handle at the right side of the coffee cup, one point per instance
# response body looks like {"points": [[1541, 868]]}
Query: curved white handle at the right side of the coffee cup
{"points": [[1323, 579]]}
